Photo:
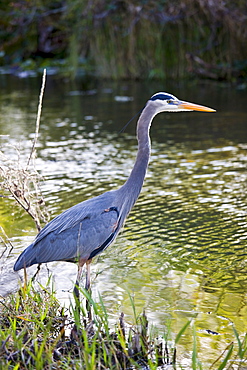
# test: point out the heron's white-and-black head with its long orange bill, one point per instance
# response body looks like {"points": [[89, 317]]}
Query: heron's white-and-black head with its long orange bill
{"points": [[165, 102]]}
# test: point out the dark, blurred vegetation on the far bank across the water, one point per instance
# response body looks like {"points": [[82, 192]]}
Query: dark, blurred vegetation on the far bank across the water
{"points": [[125, 40]]}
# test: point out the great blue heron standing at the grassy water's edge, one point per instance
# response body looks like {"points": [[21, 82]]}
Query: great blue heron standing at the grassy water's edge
{"points": [[86, 229]]}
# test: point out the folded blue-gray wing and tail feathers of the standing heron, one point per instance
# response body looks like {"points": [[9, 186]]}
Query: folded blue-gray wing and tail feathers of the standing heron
{"points": [[81, 231]]}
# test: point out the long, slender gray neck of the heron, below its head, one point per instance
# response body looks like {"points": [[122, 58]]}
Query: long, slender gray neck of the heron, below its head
{"points": [[134, 183]]}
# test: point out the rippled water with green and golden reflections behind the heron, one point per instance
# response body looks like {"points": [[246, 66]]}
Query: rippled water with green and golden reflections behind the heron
{"points": [[182, 253]]}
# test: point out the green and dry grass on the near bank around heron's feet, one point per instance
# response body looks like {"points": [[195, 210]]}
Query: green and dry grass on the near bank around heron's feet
{"points": [[37, 333]]}
